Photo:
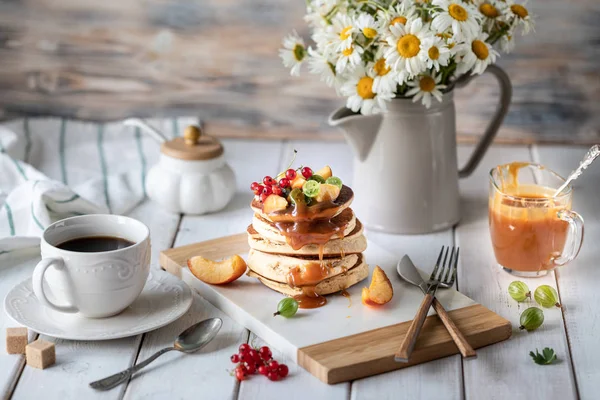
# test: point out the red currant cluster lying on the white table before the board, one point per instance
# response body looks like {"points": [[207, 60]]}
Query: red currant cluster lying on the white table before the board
{"points": [[251, 361]]}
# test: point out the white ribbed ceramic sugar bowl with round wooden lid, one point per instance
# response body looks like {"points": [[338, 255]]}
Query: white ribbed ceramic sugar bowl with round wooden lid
{"points": [[191, 176]]}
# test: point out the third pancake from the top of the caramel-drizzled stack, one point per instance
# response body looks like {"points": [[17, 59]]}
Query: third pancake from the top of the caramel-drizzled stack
{"points": [[354, 243]]}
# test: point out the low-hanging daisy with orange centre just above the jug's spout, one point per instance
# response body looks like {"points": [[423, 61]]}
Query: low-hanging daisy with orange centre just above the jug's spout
{"points": [[359, 90]]}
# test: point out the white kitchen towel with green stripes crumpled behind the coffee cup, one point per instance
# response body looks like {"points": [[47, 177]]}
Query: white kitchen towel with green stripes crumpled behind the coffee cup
{"points": [[51, 169]]}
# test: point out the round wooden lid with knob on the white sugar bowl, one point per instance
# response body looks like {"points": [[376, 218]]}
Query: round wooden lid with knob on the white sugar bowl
{"points": [[193, 145]]}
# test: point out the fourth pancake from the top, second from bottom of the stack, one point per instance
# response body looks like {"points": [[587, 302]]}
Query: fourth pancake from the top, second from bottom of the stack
{"points": [[277, 267]]}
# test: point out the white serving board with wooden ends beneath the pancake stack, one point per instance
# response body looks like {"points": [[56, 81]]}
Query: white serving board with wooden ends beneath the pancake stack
{"points": [[344, 340]]}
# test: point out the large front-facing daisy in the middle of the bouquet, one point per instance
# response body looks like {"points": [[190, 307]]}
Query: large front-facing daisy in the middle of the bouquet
{"points": [[404, 50]]}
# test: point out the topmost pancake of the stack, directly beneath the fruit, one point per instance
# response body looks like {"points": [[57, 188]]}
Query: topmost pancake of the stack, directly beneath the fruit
{"points": [[317, 211]]}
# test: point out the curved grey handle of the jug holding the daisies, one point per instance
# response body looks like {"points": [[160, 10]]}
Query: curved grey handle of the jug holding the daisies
{"points": [[494, 125]]}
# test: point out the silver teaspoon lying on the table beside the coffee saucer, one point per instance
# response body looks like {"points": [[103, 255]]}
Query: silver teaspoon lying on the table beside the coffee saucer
{"points": [[192, 339]]}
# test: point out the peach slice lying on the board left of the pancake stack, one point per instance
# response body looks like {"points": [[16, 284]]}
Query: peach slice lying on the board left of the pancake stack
{"points": [[217, 273]]}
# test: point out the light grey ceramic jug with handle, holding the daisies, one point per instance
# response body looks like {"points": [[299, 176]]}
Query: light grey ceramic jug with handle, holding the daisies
{"points": [[405, 171]]}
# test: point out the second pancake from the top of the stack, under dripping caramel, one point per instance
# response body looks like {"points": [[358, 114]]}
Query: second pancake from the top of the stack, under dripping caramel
{"points": [[269, 230]]}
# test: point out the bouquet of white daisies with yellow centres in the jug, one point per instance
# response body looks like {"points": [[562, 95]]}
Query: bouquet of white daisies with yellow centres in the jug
{"points": [[372, 51]]}
